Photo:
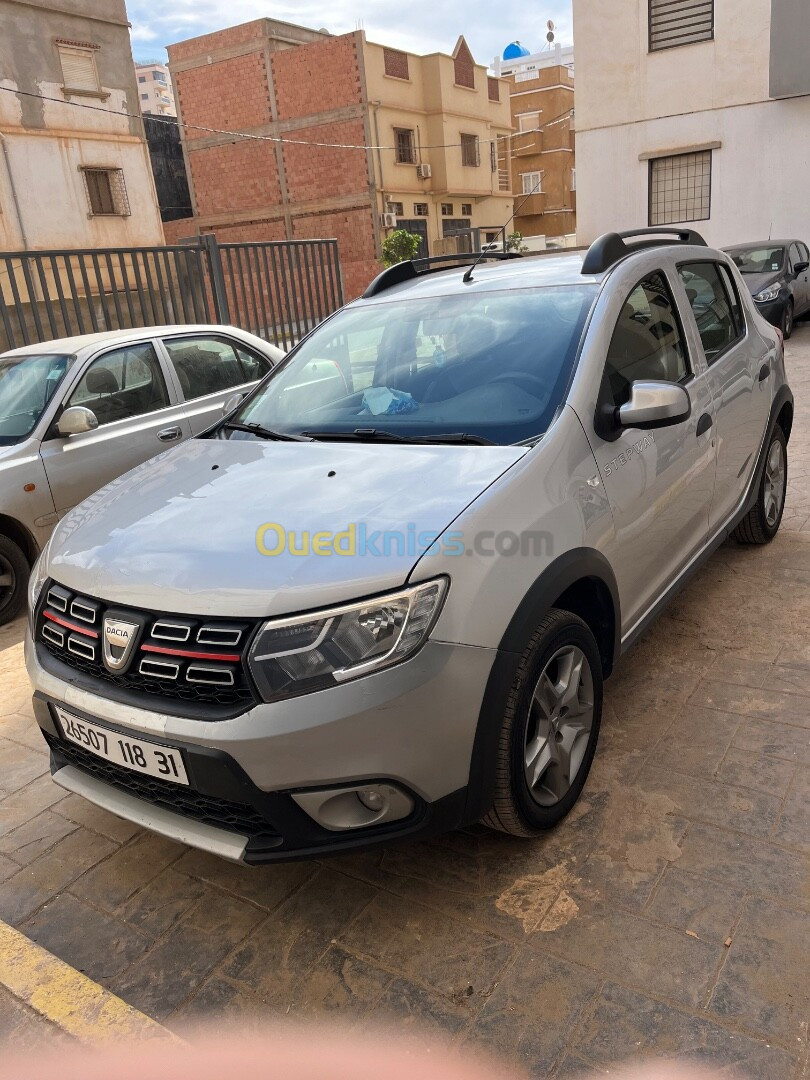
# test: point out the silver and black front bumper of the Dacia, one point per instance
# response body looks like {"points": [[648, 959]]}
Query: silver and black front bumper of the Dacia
{"points": [[412, 726]]}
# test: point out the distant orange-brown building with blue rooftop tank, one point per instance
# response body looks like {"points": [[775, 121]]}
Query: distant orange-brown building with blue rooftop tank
{"points": [[543, 157]]}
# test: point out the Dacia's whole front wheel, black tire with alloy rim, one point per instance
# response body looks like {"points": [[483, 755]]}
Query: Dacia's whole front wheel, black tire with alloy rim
{"points": [[550, 728]]}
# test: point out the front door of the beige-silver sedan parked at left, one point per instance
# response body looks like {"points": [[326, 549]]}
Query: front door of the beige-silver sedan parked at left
{"points": [[139, 417]]}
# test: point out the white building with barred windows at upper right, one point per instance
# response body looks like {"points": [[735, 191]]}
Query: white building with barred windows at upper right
{"points": [[694, 113]]}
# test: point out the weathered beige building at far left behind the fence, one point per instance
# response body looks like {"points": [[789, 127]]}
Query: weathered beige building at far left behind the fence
{"points": [[72, 178]]}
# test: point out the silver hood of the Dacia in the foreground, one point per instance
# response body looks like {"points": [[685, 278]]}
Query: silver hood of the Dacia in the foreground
{"points": [[180, 533]]}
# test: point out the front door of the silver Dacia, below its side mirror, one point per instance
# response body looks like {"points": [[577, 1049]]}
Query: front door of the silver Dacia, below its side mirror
{"points": [[659, 482]]}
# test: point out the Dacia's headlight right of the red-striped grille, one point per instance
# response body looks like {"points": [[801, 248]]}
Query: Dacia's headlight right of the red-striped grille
{"points": [[315, 652]]}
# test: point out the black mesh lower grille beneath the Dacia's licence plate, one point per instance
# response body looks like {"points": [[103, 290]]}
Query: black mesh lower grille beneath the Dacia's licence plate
{"points": [[235, 817]]}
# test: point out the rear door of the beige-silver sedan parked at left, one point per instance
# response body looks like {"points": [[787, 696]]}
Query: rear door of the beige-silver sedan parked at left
{"points": [[210, 369]]}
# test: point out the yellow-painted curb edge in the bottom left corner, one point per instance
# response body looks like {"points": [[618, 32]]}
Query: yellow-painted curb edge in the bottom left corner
{"points": [[66, 998]]}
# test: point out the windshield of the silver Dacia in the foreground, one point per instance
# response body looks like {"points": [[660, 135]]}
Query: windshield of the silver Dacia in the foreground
{"points": [[493, 366]]}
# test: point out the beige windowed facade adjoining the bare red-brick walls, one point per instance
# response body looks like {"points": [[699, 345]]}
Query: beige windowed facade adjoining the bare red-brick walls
{"points": [[449, 124]]}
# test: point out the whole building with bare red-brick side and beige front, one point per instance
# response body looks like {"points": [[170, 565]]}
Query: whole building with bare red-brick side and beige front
{"points": [[348, 140]]}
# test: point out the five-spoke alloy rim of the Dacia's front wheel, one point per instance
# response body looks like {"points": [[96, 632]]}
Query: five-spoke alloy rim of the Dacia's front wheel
{"points": [[560, 724]]}
